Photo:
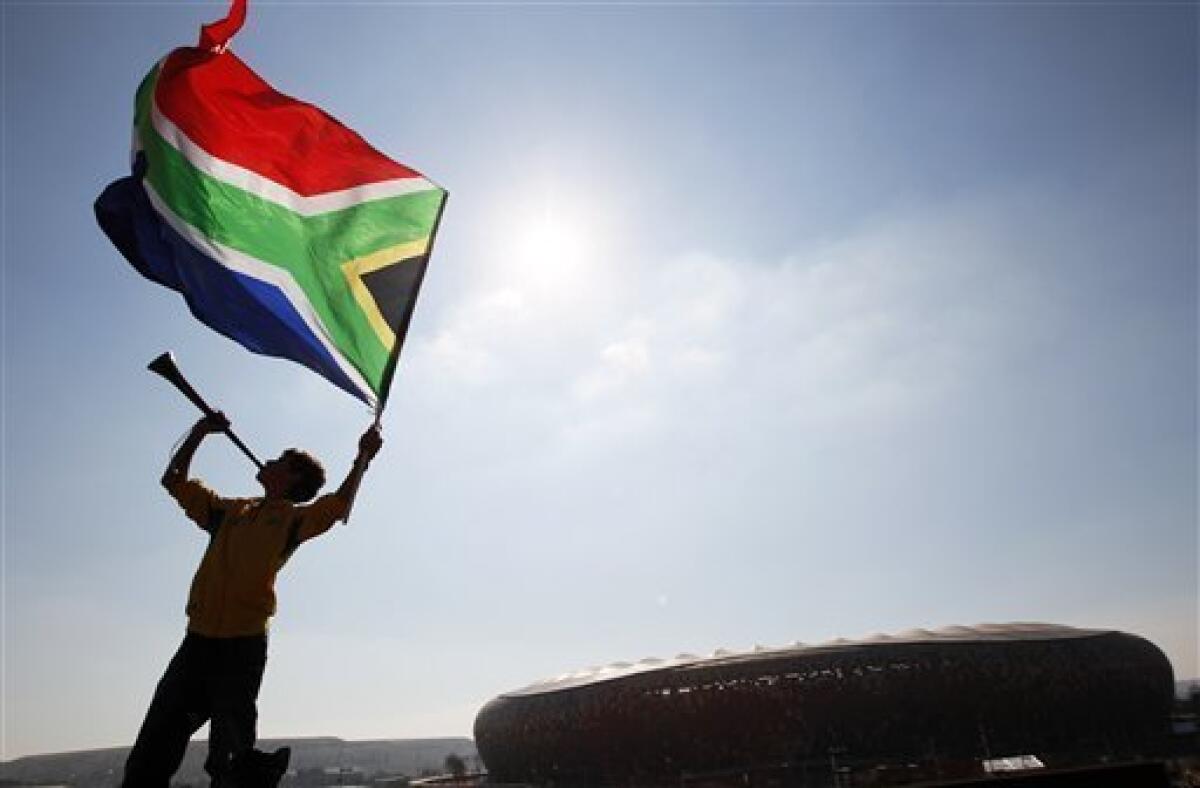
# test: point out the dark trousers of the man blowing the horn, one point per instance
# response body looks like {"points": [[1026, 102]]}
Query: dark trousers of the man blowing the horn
{"points": [[213, 679]]}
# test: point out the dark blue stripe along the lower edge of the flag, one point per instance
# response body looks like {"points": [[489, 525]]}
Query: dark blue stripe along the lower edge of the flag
{"points": [[254, 314]]}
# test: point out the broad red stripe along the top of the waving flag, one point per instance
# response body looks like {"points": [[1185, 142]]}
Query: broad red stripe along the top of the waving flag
{"points": [[233, 115]]}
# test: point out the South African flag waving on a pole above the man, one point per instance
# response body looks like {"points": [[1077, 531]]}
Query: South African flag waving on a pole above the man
{"points": [[283, 228]]}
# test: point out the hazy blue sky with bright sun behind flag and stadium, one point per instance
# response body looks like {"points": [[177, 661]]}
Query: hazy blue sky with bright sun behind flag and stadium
{"points": [[748, 324]]}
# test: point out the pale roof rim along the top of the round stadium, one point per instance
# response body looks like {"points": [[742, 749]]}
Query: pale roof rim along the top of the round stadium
{"points": [[981, 633]]}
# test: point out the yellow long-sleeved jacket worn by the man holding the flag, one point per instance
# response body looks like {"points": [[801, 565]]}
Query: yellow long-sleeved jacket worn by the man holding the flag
{"points": [[250, 539]]}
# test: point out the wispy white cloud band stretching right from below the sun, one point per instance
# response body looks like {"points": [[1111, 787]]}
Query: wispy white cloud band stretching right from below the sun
{"points": [[845, 335]]}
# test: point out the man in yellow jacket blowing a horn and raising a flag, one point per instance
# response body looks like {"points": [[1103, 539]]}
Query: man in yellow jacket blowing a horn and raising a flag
{"points": [[218, 671]]}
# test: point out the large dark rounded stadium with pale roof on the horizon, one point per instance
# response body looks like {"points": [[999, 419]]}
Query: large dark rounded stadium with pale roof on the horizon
{"points": [[920, 705]]}
